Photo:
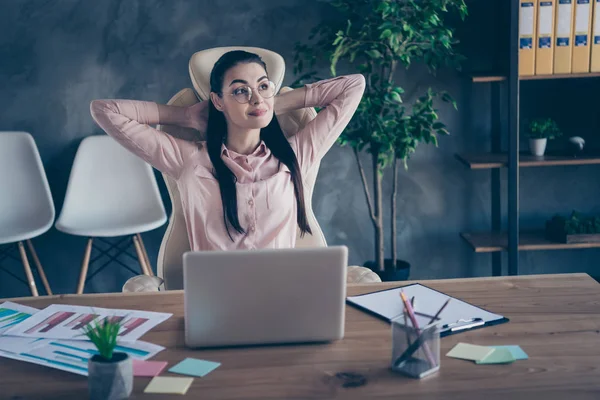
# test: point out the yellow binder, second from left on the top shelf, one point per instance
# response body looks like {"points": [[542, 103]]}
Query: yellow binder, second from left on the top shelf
{"points": [[544, 52]]}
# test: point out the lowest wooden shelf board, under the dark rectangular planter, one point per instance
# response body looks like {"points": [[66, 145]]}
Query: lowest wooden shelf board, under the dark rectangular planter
{"points": [[490, 242]]}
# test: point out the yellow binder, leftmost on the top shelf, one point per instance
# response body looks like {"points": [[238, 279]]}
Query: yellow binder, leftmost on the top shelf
{"points": [[527, 24]]}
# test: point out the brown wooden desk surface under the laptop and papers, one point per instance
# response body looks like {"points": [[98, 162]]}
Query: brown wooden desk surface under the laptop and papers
{"points": [[554, 318]]}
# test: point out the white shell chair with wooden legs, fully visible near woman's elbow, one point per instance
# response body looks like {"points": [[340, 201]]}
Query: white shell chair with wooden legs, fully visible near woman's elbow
{"points": [[111, 193]]}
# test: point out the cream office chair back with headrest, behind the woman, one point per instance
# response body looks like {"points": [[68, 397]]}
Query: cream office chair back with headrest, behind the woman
{"points": [[176, 242]]}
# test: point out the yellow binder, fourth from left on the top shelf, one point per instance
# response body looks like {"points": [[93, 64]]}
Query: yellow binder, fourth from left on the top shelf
{"points": [[581, 45]]}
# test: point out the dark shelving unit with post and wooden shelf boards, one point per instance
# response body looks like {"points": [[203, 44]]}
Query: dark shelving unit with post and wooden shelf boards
{"points": [[505, 91]]}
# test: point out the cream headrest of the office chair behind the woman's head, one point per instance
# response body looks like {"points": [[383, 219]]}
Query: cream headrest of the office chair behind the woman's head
{"points": [[202, 62]]}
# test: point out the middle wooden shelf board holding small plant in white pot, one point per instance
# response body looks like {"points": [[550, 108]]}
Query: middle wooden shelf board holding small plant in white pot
{"points": [[500, 160]]}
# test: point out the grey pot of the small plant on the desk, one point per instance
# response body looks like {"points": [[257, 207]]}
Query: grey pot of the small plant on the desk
{"points": [[110, 380]]}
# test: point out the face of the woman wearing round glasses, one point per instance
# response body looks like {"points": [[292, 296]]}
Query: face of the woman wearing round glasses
{"points": [[239, 108]]}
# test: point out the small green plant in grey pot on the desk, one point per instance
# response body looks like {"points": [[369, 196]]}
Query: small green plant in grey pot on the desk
{"points": [[110, 373]]}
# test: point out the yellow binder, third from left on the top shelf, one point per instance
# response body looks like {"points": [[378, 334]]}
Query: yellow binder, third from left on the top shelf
{"points": [[563, 31]]}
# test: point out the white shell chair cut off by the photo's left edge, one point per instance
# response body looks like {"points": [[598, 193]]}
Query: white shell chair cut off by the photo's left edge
{"points": [[26, 206]]}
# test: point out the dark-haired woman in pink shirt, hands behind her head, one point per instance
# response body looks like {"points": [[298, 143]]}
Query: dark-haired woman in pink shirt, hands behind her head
{"points": [[241, 182]]}
